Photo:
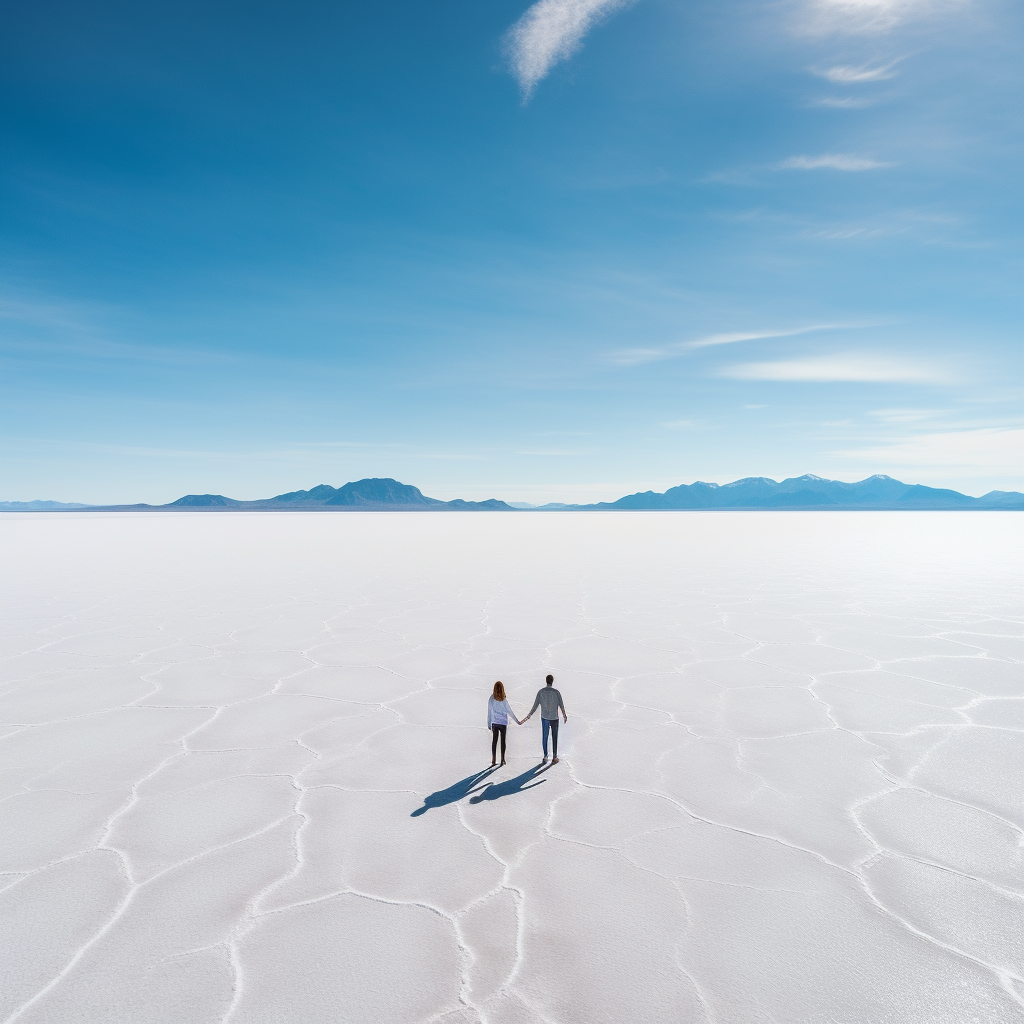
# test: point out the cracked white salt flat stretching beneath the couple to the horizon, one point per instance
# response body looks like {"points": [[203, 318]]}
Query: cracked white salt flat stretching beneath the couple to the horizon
{"points": [[241, 754]]}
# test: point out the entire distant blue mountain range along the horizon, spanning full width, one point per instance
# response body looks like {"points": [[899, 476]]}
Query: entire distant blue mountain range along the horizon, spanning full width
{"points": [[383, 494]]}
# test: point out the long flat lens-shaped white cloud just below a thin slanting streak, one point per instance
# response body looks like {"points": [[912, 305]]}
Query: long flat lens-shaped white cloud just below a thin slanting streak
{"points": [[864, 368]]}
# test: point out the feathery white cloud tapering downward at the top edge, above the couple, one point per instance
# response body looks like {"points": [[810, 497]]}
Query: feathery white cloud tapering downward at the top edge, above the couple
{"points": [[551, 31]]}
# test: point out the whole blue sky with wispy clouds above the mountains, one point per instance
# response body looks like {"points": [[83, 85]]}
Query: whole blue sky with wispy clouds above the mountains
{"points": [[553, 252]]}
